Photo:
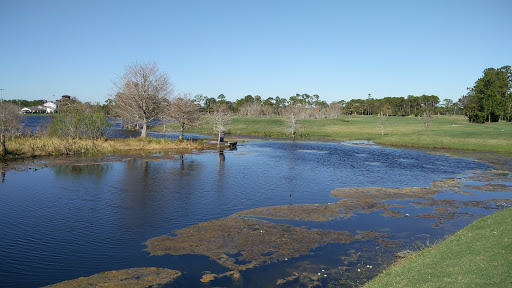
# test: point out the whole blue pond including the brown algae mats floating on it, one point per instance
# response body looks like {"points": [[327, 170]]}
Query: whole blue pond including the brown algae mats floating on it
{"points": [[310, 203]]}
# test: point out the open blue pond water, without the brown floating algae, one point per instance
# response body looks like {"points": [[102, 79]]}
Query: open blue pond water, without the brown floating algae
{"points": [[68, 221]]}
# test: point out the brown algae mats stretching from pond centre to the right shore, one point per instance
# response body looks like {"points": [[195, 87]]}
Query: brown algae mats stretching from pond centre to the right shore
{"points": [[246, 239]]}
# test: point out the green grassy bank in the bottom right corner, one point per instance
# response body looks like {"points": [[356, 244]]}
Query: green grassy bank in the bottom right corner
{"points": [[476, 256]]}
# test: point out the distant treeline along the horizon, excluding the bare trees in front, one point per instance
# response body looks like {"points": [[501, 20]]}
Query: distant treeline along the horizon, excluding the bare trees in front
{"points": [[489, 100]]}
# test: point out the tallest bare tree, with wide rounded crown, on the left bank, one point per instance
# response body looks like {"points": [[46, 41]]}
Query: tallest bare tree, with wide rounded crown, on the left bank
{"points": [[141, 93]]}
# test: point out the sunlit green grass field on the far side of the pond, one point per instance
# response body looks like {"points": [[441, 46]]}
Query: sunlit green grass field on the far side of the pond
{"points": [[447, 132]]}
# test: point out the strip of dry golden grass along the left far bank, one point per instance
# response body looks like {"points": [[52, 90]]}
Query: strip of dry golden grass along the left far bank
{"points": [[22, 147]]}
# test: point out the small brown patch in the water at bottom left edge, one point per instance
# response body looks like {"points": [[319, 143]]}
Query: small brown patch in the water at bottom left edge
{"points": [[129, 278]]}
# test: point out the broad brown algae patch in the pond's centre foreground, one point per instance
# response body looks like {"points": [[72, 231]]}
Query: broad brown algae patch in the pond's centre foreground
{"points": [[240, 243]]}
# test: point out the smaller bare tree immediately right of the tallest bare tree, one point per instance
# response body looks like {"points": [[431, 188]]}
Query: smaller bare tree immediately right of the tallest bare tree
{"points": [[184, 111]]}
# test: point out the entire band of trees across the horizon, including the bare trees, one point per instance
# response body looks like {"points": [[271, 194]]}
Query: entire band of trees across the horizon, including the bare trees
{"points": [[143, 93]]}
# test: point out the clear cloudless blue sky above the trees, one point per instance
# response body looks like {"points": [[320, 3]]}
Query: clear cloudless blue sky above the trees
{"points": [[340, 50]]}
